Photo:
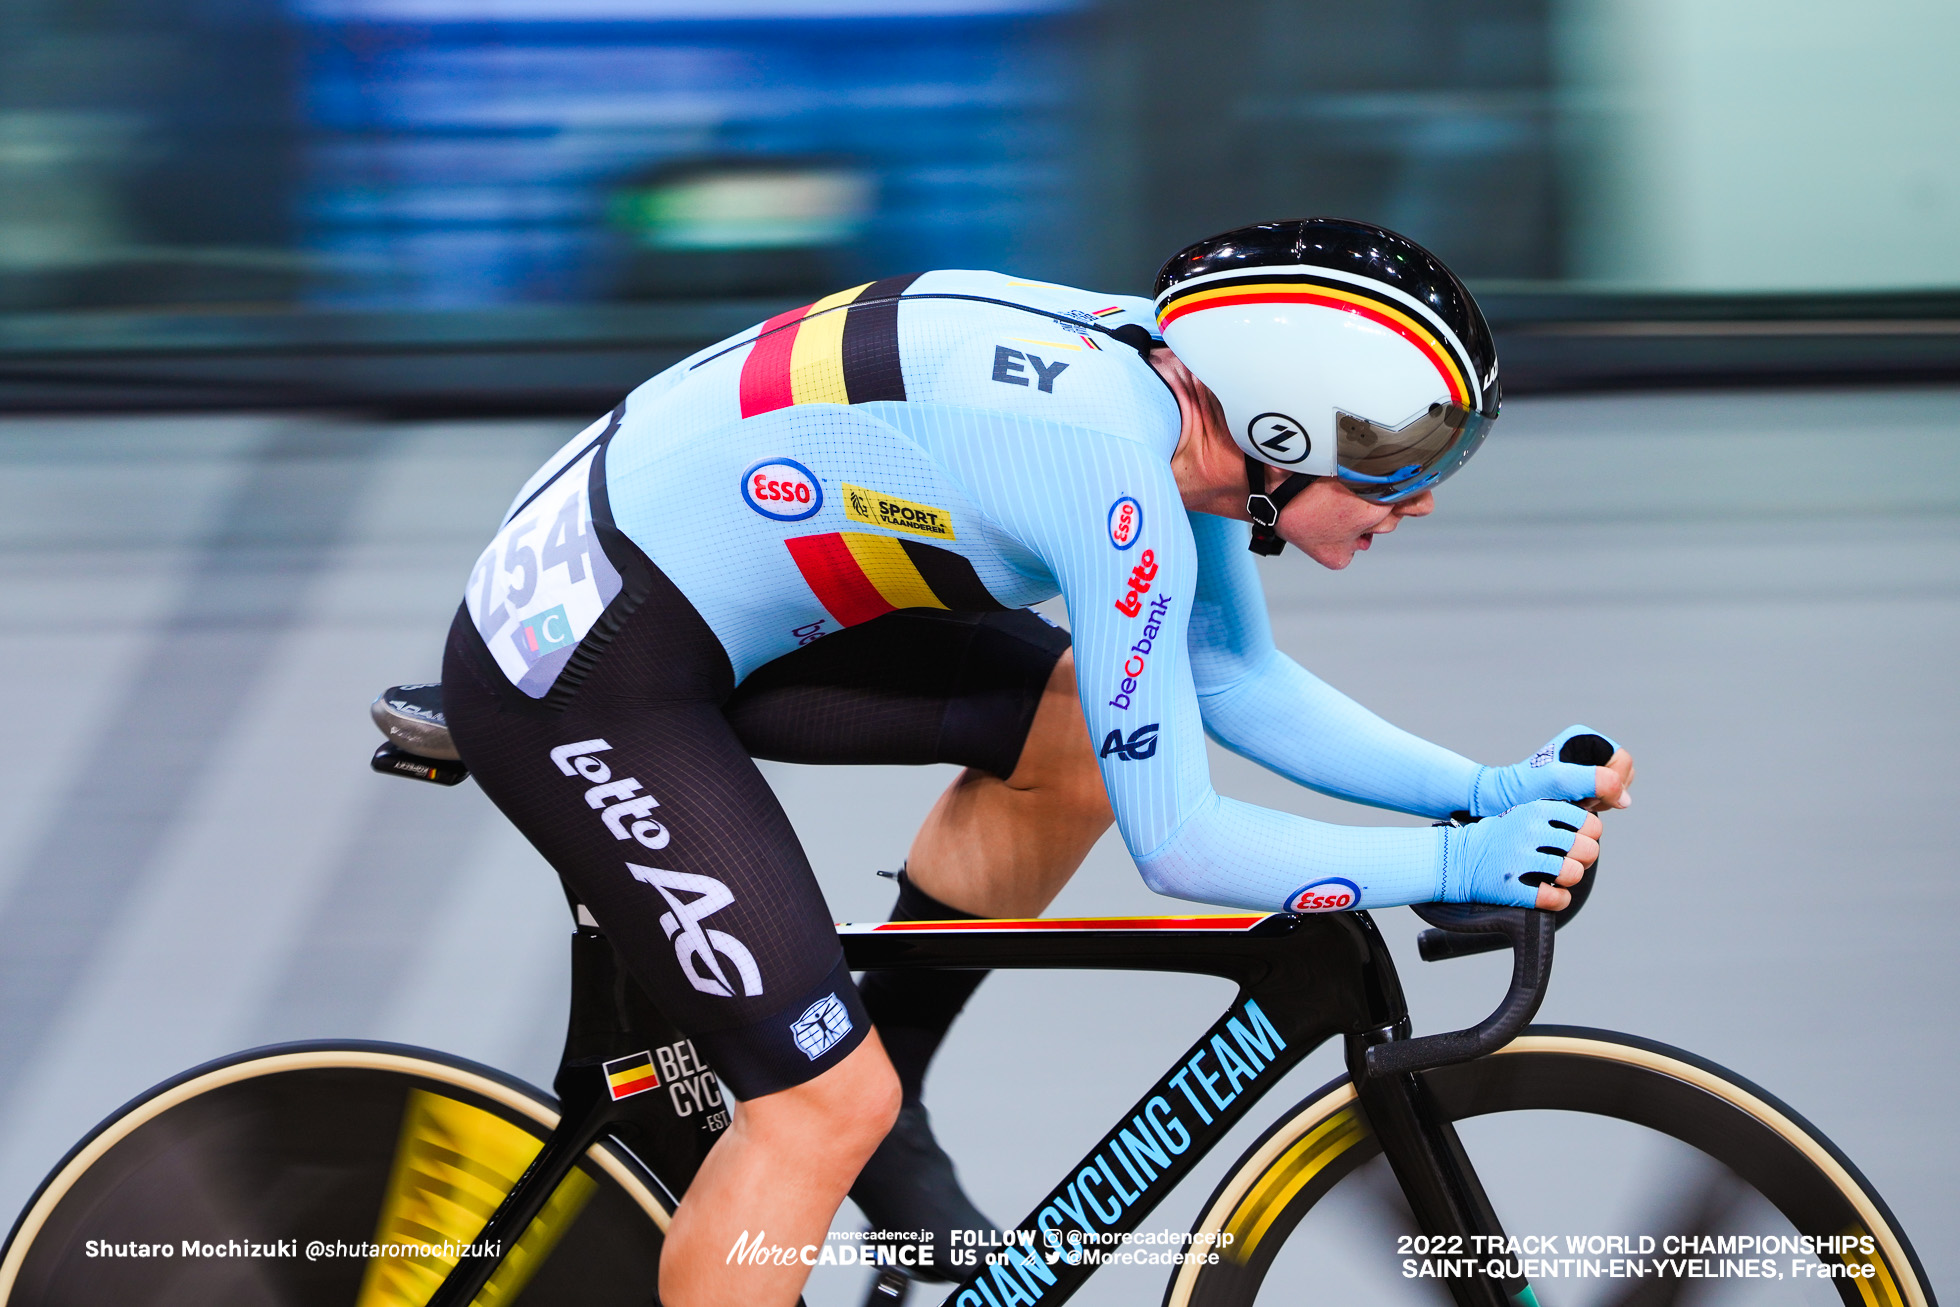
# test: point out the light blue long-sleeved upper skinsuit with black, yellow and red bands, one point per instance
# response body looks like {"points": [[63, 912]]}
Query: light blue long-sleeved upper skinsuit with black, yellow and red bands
{"points": [[1036, 446]]}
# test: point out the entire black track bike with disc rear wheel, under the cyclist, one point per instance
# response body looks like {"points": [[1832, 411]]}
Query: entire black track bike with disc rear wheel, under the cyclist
{"points": [[387, 1177]]}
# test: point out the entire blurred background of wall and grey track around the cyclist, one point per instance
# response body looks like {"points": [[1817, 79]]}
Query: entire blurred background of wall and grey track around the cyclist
{"points": [[293, 295]]}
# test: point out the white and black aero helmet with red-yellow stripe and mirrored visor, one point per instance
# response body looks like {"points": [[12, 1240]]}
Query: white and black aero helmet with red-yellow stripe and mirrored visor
{"points": [[1336, 350]]}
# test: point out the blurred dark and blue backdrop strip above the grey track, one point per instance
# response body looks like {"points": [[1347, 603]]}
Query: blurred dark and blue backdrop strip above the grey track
{"points": [[536, 203]]}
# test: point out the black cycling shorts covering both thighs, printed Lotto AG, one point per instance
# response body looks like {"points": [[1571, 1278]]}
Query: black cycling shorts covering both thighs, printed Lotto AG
{"points": [[640, 787]]}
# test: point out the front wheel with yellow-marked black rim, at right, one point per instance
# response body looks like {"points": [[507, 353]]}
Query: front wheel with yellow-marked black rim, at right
{"points": [[1624, 1171]]}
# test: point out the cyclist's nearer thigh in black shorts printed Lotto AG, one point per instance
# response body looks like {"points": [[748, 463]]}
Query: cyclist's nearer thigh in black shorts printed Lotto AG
{"points": [[663, 828]]}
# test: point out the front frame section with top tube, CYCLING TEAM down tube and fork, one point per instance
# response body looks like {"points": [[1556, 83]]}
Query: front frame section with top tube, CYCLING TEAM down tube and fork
{"points": [[1302, 981]]}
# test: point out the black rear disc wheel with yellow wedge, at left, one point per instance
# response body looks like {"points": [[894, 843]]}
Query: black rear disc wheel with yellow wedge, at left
{"points": [[328, 1177]]}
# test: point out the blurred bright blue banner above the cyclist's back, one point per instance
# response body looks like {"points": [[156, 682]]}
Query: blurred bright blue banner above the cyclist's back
{"points": [[473, 154]]}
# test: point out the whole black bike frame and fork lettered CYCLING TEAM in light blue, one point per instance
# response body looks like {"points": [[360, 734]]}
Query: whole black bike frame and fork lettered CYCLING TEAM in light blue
{"points": [[1302, 981]]}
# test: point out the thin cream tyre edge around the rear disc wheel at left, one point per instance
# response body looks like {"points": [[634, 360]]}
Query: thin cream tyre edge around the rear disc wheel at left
{"points": [[275, 1065]]}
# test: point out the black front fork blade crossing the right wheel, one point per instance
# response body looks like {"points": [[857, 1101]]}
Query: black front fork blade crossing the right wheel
{"points": [[1438, 1179]]}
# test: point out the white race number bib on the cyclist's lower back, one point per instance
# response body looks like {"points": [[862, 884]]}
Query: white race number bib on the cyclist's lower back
{"points": [[542, 583]]}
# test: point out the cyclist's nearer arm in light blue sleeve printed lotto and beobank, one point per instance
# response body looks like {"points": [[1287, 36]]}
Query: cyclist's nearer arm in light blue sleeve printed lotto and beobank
{"points": [[1053, 491]]}
